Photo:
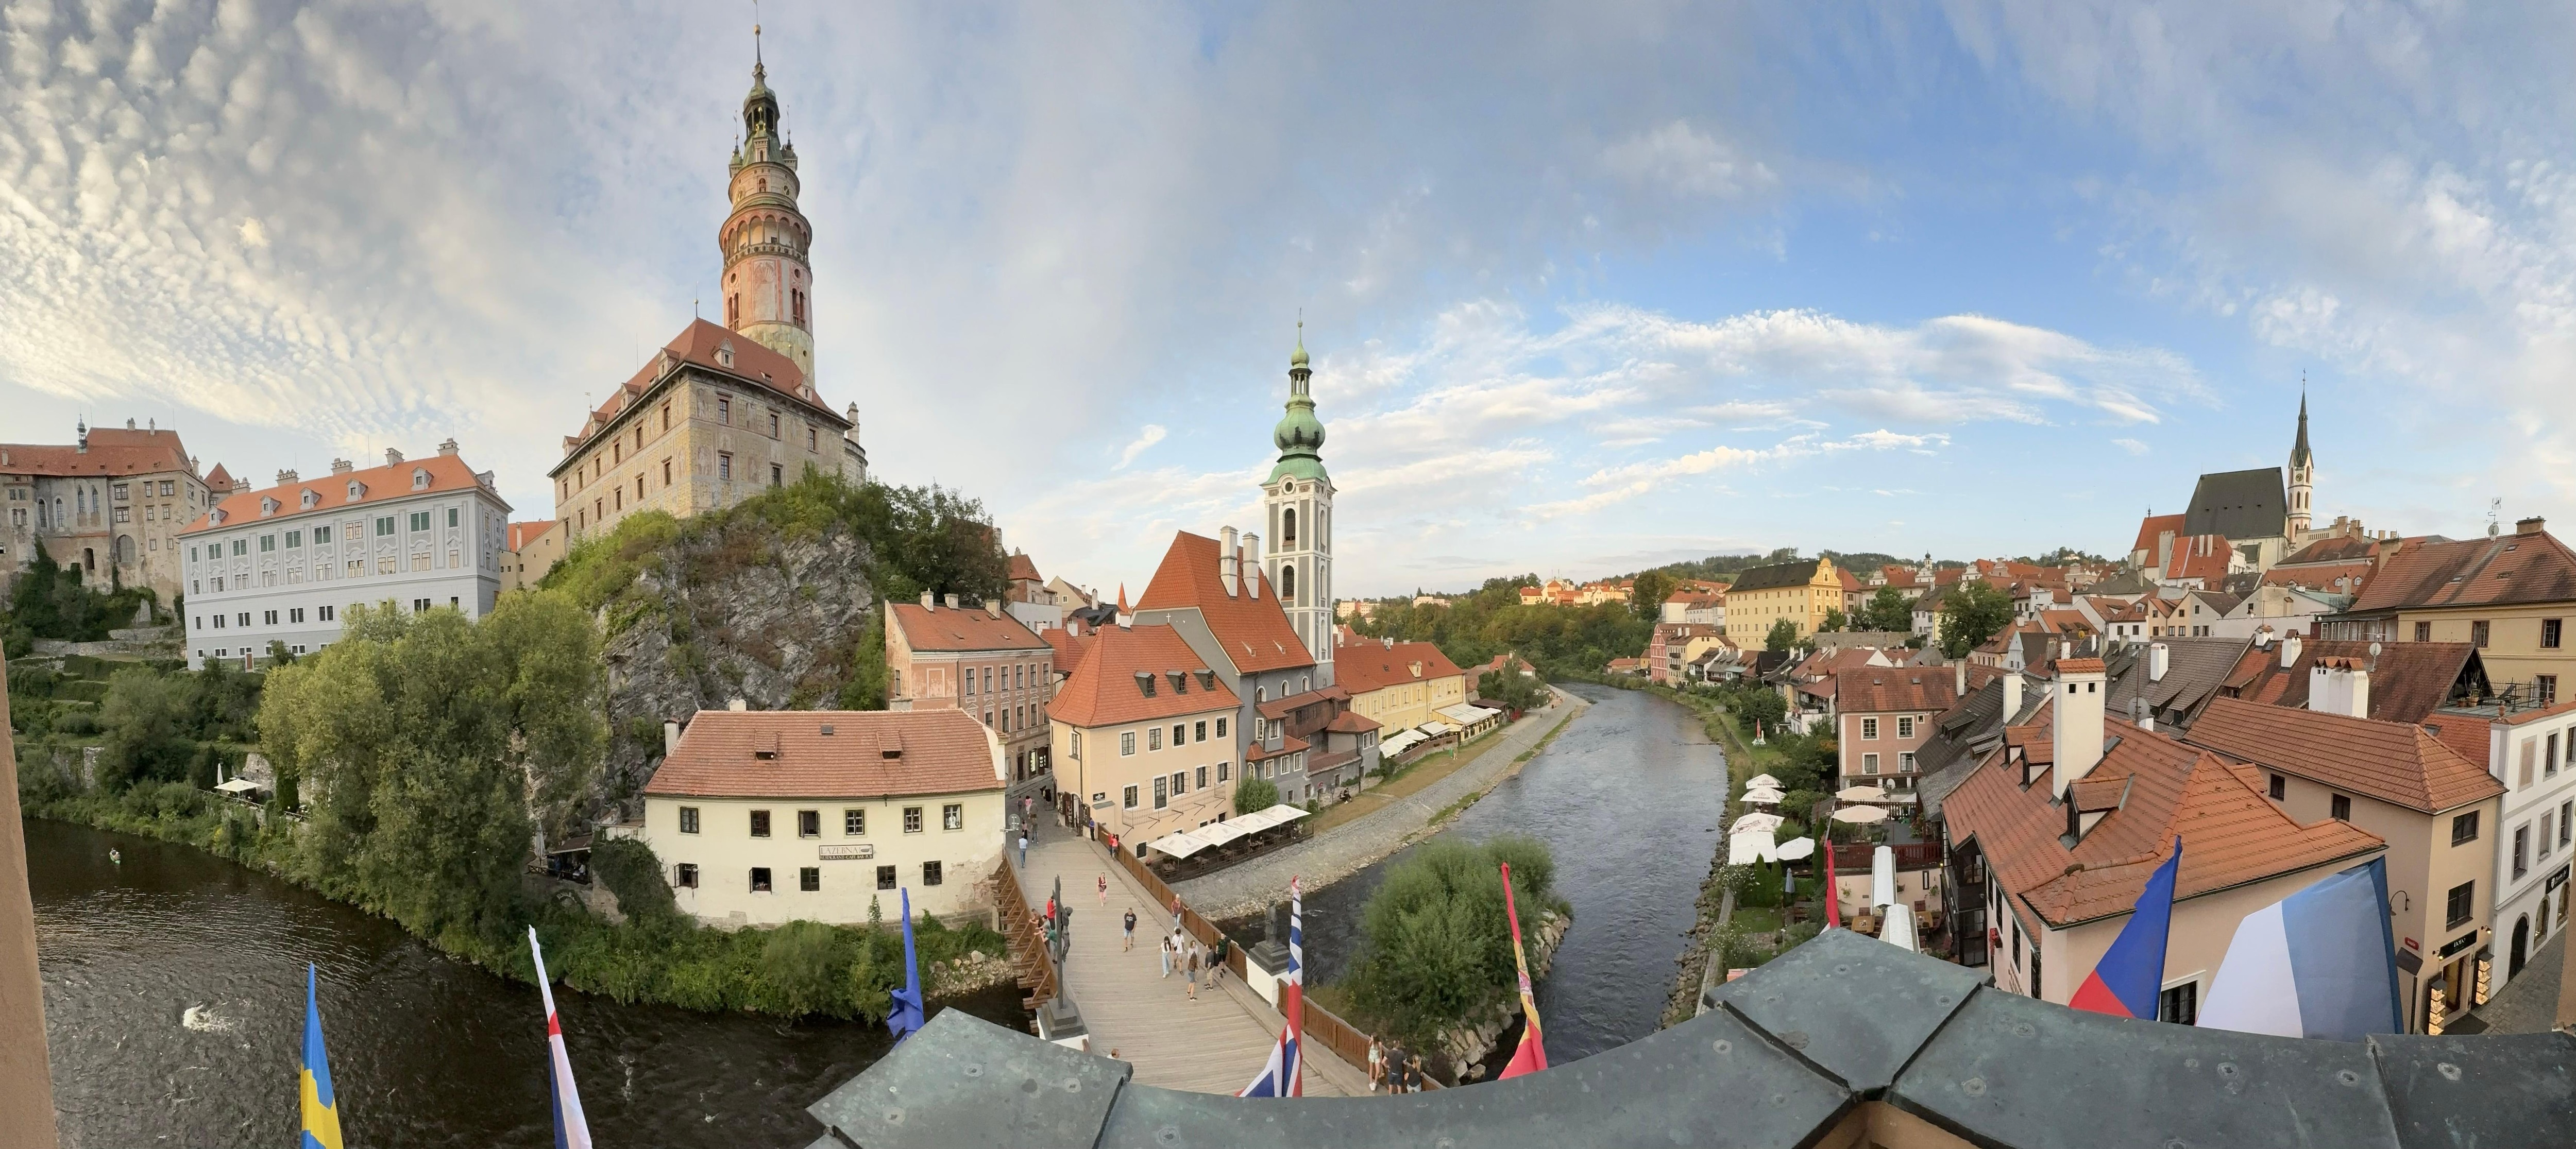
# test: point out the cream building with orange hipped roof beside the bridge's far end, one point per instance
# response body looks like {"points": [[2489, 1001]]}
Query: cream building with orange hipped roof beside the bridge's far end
{"points": [[1142, 738]]}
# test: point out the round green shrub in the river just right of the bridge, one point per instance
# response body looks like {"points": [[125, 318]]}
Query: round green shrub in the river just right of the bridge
{"points": [[1436, 944]]}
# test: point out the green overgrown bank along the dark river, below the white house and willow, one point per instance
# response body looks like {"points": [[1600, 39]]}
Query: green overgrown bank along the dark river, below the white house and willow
{"points": [[656, 957]]}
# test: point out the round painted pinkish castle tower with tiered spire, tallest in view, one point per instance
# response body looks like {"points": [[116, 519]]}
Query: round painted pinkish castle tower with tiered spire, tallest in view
{"points": [[769, 290]]}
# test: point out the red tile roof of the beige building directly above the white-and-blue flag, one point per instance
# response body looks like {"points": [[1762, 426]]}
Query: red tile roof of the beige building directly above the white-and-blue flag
{"points": [[2389, 761]]}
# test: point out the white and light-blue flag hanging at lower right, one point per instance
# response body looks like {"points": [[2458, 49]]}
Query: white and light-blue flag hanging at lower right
{"points": [[2315, 965]]}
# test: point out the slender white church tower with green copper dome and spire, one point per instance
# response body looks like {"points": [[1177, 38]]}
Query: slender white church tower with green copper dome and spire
{"points": [[1297, 501]]}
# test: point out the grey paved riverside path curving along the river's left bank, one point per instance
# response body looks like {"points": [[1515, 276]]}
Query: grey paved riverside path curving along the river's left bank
{"points": [[1338, 854]]}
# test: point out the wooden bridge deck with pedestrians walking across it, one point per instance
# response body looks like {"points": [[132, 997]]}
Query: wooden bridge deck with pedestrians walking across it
{"points": [[1215, 1045]]}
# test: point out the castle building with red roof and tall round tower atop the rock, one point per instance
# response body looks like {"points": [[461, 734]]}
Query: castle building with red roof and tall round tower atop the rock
{"points": [[723, 413]]}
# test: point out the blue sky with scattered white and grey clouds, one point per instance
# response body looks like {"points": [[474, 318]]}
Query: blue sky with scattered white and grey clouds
{"points": [[1588, 287]]}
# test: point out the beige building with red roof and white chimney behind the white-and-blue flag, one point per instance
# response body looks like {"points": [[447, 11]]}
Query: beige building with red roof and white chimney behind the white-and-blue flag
{"points": [[2436, 810]]}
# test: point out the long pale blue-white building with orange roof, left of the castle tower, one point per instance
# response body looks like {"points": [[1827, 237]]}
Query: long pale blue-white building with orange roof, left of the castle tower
{"points": [[287, 563]]}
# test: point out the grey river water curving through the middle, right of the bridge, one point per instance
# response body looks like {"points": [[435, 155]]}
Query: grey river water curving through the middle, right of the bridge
{"points": [[1629, 800]]}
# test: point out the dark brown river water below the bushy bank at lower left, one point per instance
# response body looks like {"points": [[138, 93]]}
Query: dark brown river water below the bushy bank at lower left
{"points": [[174, 993]]}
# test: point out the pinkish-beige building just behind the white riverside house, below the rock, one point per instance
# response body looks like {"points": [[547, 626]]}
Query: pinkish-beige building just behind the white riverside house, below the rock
{"points": [[985, 663]]}
